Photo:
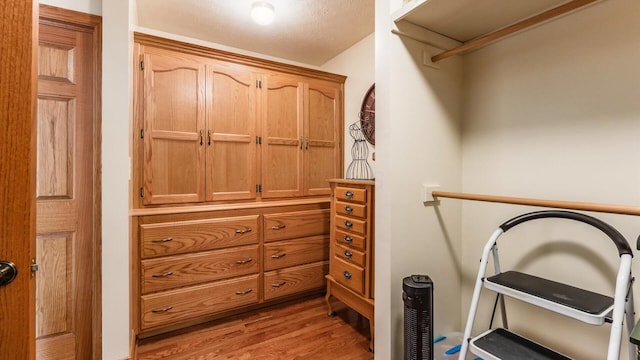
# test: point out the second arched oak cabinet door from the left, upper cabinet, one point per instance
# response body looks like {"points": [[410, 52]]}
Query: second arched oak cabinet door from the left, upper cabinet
{"points": [[231, 132]]}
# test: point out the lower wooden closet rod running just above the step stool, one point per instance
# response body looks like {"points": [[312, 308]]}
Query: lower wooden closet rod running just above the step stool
{"points": [[571, 205]]}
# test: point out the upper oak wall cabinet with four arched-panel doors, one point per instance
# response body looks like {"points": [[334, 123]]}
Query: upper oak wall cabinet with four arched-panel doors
{"points": [[213, 127]]}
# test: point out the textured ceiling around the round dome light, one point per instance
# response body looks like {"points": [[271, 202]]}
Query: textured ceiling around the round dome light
{"points": [[305, 31]]}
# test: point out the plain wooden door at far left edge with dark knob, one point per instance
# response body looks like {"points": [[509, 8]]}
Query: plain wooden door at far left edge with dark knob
{"points": [[17, 175]]}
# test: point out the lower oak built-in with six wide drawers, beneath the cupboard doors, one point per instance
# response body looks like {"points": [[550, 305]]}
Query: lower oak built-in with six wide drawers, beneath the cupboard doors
{"points": [[194, 267]]}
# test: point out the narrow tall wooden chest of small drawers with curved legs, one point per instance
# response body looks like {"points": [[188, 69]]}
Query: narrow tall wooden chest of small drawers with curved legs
{"points": [[351, 257]]}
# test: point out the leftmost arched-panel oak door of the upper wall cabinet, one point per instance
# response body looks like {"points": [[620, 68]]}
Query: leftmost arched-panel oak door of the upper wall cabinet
{"points": [[173, 111]]}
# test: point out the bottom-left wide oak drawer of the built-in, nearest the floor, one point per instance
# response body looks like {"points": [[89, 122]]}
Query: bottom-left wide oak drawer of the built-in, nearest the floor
{"points": [[169, 307]]}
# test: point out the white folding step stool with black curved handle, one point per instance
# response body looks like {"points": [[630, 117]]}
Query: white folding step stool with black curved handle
{"points": [[576, 303]]}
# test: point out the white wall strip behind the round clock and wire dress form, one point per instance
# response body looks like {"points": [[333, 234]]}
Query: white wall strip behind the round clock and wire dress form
{"points": [[357, 63]]}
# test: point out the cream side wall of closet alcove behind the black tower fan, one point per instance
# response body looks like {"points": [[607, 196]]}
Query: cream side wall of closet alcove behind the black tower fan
{"points": [[418, 141]]}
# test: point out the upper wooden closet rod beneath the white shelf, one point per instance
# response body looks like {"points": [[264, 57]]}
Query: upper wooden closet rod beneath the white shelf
{"points": [[534, 20]]}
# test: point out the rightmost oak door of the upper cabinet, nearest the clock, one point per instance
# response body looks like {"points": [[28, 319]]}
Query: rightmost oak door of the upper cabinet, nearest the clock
{"points": [[322, 137]]}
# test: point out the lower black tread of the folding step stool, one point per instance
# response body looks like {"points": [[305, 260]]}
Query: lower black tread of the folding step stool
{"points": [[503, 344]]}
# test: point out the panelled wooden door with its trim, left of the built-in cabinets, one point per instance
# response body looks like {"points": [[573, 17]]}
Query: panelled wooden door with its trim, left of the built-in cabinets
{"points": [[66, 181]]}
